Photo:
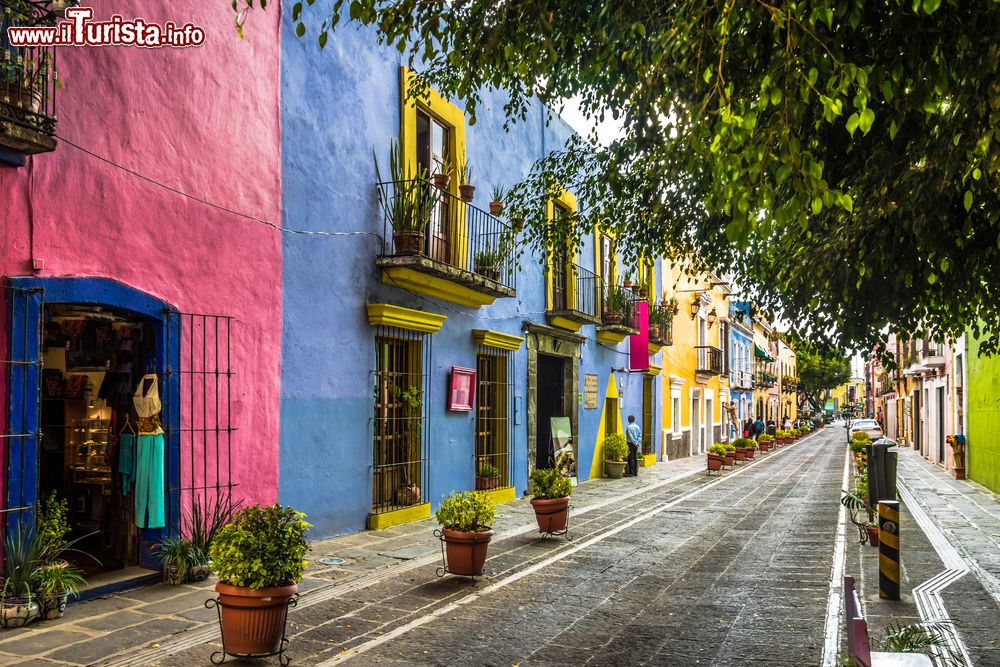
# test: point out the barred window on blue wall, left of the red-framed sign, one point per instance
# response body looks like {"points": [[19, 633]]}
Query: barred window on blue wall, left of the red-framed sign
{"points": [[400, 430]]}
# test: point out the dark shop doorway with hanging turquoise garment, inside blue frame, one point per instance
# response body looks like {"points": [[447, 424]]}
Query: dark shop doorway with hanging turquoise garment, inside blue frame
{"points": [[93, 359]]}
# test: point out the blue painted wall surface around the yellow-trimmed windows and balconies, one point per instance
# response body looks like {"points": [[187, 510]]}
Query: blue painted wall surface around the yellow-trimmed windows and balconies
{"points": [[337, 106]]}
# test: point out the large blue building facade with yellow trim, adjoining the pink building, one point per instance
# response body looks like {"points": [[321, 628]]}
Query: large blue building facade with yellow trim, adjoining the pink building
{"points": [[405, 377]]}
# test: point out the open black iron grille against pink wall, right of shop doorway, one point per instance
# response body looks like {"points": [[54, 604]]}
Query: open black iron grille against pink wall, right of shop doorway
{"points": [[199, 392]]}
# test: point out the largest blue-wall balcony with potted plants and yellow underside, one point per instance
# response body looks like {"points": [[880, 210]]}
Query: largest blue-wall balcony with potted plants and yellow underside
{"points": [[437, 244]]}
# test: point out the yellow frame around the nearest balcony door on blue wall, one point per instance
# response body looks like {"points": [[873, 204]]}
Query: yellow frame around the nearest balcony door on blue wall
{"points": [[438, 106]]}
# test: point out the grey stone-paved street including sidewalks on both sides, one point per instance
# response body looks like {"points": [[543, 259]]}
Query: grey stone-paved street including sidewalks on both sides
{"points": [[672, 568]]}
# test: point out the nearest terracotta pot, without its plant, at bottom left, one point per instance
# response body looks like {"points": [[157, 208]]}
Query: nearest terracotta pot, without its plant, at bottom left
{"points": [[253, 621]]}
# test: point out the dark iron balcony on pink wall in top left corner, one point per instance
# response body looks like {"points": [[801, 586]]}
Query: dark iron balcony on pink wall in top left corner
{"points": [[27, 85]]}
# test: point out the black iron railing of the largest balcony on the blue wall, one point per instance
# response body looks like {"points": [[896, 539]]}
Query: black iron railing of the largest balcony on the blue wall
{"points": [[420, 219]]}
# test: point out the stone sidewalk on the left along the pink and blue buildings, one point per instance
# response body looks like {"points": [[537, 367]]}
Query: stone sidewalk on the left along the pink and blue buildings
{"points": [[132, 628]]}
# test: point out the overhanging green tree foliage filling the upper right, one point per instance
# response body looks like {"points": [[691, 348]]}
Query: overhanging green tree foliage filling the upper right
{"points": [[839, 159]]}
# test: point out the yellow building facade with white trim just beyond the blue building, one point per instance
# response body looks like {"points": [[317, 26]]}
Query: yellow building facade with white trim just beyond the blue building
{"points": [[695, 381]]}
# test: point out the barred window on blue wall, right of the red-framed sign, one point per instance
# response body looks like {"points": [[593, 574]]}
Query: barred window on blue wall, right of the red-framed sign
{"points": [[494, 401]]}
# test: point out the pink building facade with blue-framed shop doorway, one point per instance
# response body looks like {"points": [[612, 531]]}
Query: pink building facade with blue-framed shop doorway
{"points": [[119, 266]]}
